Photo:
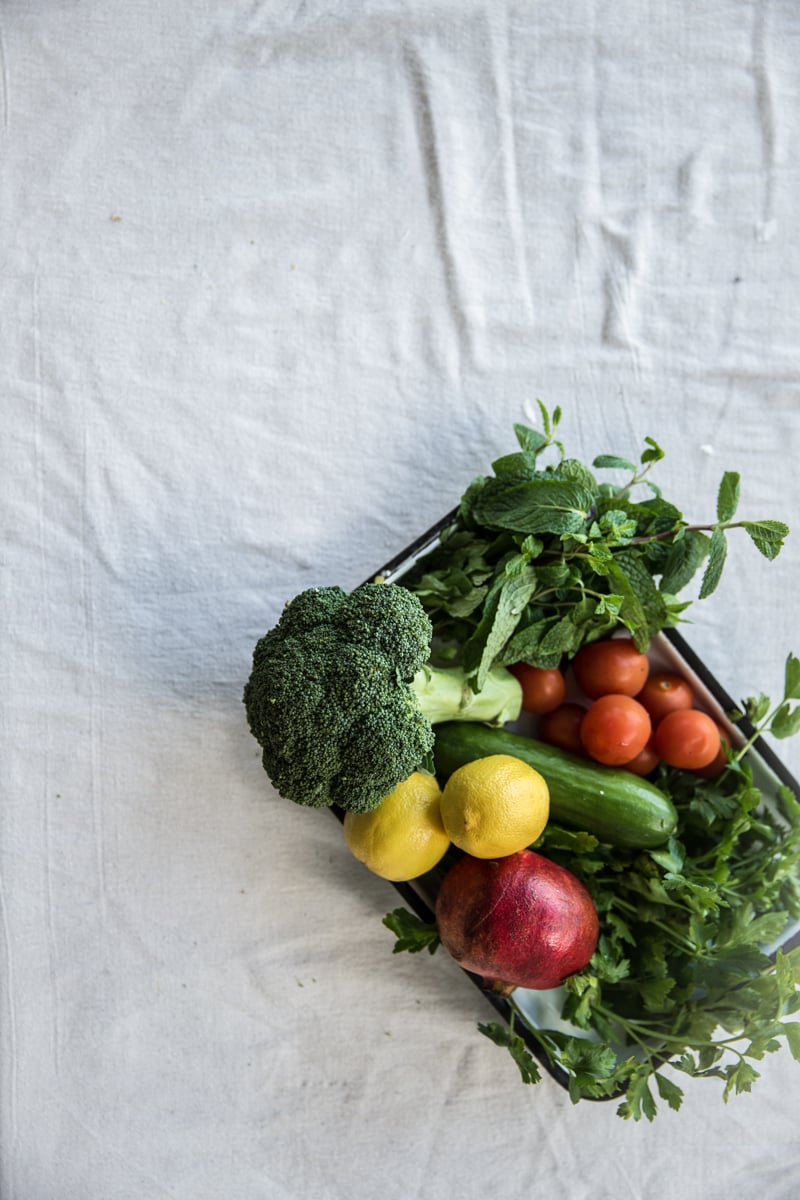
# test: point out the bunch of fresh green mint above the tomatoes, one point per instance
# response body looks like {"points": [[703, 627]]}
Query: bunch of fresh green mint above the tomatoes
{"points": [[542, 560]]}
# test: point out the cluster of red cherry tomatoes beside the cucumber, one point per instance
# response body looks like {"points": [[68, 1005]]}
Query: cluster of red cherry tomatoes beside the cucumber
{"points": [[625, 716]]}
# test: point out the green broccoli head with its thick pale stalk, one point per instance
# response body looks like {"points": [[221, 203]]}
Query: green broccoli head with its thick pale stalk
{"points": [[342, 698]]}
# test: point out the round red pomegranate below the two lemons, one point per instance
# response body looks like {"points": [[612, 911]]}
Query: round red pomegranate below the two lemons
{"points": [[518, 922]]}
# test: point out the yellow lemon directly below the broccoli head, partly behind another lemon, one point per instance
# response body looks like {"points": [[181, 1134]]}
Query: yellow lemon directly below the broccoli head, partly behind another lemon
{"points": [[404, 838]]}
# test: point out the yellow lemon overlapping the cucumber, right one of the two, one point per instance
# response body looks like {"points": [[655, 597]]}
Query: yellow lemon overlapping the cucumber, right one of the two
{"points": [[495, 807]]}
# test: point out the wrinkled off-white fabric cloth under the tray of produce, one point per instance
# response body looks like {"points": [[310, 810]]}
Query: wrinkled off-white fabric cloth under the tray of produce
{"points": [[278, 280]]}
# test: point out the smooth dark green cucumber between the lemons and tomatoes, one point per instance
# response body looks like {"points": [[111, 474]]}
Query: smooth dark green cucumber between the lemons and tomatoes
{"points": [[613, 805]]}
